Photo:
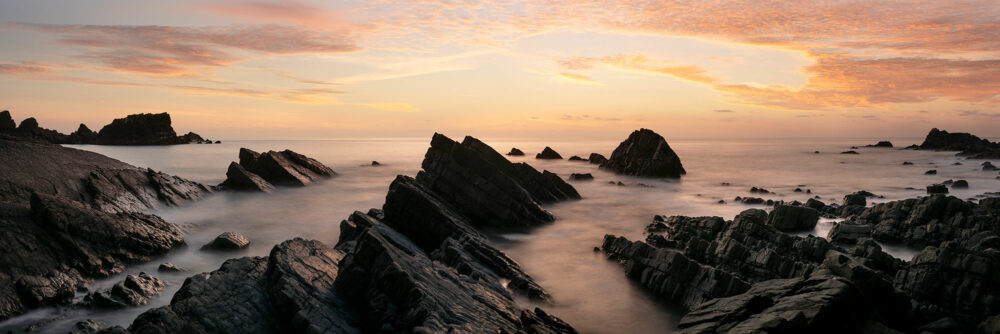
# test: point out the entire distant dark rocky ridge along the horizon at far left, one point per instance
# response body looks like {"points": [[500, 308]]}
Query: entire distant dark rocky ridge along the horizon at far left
{"points": [[138, 129]]}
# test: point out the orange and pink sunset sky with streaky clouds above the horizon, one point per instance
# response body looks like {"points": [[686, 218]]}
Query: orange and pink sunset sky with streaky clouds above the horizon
{"points": [[589, 69]]}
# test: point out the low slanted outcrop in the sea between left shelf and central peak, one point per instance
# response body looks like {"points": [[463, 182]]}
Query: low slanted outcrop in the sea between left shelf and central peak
{"points": [[262, 171]]}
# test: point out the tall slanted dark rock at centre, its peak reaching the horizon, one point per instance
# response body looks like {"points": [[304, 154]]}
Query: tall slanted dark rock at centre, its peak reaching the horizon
{"points": [[486, 188]]}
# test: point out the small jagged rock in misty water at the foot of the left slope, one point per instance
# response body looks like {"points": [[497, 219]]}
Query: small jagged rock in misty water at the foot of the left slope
{"points": [[135, 290]]}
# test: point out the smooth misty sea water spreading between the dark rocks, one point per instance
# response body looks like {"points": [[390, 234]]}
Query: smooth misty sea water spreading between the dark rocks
{"points": [[590, 292]]}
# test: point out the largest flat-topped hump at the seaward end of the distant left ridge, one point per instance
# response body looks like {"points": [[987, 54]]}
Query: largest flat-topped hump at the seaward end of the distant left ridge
{"points": [[142, 129]]}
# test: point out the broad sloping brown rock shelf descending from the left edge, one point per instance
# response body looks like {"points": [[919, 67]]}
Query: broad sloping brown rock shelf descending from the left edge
{"points": [[68, 216]]}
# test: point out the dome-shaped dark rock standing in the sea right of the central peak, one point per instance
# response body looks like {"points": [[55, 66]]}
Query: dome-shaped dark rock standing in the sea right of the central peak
{"points": [[645, 153]]}
